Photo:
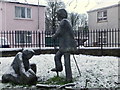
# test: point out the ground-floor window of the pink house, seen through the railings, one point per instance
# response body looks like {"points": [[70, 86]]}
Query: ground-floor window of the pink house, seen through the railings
{"points": [[23, 36]]}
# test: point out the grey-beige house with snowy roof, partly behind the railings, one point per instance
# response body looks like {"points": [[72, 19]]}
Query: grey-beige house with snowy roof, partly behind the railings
{"points": [[104, 22]]}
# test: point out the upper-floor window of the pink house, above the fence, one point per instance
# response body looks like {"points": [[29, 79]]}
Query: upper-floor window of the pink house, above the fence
{"points": [[22, 12]]}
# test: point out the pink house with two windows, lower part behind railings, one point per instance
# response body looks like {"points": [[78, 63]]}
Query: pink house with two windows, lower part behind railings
{"points": [[22, 19]]}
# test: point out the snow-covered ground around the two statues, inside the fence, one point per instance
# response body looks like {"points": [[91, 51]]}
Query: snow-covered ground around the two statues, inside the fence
{"points": [[102, 72]]}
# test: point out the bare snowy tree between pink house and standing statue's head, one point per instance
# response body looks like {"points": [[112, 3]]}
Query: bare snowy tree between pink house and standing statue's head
{"points": [[51, 18]]}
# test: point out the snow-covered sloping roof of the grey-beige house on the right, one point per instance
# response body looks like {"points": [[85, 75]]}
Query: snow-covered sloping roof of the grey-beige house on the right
{"points": [[104, 6]]}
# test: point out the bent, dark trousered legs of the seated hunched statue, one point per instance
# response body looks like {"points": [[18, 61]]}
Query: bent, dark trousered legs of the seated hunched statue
{"points": [[19, 79]]}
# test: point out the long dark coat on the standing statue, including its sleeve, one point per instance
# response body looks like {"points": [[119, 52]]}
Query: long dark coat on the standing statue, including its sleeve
{"points": [[66, 37]]}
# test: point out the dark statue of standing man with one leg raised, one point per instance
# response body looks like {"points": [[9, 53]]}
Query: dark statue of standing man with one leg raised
{"points": [[67, 44]]}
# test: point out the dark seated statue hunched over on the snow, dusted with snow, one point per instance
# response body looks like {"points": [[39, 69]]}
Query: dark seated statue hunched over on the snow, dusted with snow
{"points": [[21, 71]]}
